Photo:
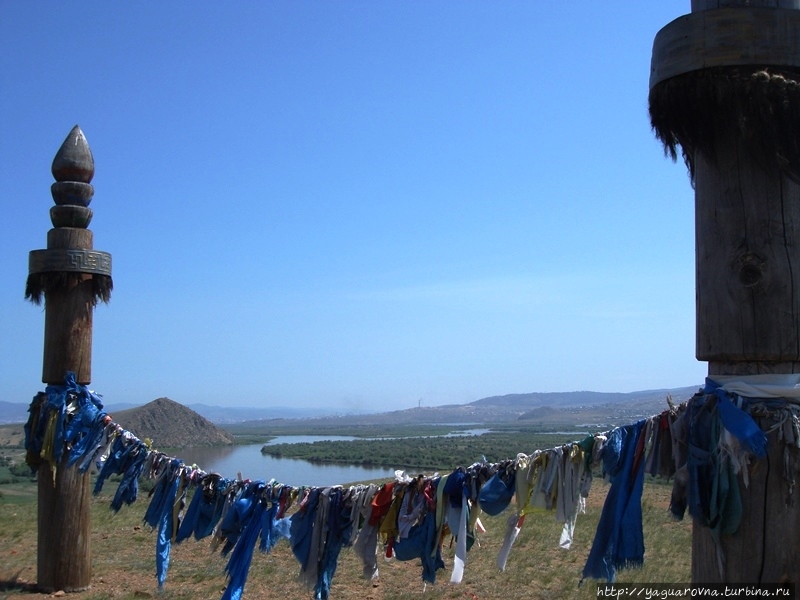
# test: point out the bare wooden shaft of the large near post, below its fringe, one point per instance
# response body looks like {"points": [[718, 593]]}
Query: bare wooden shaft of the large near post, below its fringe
{"points": [[748, 315]]}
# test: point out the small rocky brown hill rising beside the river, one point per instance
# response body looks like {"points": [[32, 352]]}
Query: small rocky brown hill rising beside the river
{"points": [[171, 425]]}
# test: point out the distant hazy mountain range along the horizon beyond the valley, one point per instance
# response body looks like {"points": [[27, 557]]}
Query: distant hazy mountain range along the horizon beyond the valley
{"points": [[492, 408]]}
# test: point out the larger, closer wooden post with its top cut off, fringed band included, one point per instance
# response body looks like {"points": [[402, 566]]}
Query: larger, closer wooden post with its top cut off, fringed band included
{"points": [[725, 87]]}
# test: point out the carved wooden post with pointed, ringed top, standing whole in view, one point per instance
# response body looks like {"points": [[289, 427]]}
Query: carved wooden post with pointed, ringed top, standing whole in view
{"points": [[72, 277]]}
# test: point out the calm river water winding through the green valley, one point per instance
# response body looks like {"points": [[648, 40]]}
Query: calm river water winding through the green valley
{"points": [[229, 461]]}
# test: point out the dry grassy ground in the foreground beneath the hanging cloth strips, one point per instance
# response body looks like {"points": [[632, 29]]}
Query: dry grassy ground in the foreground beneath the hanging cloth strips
{"points": [[124, 565]]}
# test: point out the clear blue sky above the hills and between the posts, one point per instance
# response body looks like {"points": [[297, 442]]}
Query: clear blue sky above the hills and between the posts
{"points": [[353, 205]]}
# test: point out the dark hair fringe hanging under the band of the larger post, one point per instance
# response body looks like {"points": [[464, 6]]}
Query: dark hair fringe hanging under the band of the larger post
{"points": [[760, 107]]}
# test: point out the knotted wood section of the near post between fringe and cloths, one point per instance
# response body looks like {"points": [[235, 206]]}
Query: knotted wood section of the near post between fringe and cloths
{"points": [[747, 259]]}
